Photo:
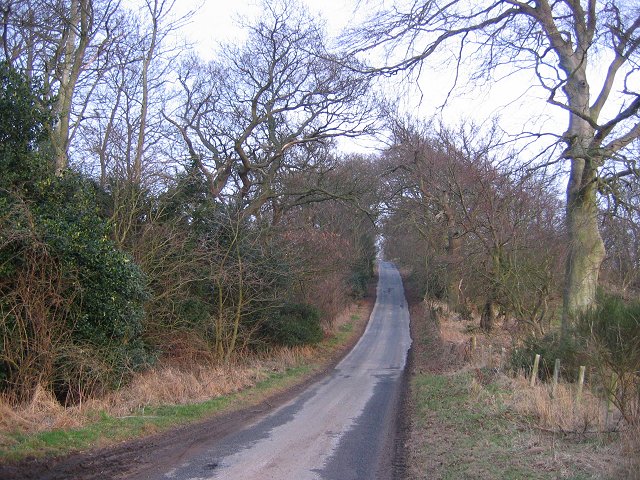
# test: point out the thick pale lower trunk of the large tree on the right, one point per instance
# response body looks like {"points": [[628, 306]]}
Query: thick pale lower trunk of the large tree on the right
{"points": [[586, 248]]}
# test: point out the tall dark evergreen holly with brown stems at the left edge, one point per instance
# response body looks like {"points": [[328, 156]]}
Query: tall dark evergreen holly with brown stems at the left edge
{"points": [[90, 296]]}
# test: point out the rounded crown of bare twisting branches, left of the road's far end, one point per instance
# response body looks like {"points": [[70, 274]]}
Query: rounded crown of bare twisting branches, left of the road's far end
{"points": [[244, 114]]}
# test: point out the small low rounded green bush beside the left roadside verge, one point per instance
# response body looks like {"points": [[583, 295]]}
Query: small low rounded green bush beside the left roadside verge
{"points": [[294, 324]]}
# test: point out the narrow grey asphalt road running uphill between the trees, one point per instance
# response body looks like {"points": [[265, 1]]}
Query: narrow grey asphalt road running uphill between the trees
{"points": [[341, 428]]}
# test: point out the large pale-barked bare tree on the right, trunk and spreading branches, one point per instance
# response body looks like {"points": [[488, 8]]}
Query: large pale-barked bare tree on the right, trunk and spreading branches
{"points": [[561, 42]]}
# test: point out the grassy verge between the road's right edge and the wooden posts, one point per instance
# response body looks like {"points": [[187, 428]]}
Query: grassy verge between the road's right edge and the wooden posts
{"points": [[465, 421]]}
